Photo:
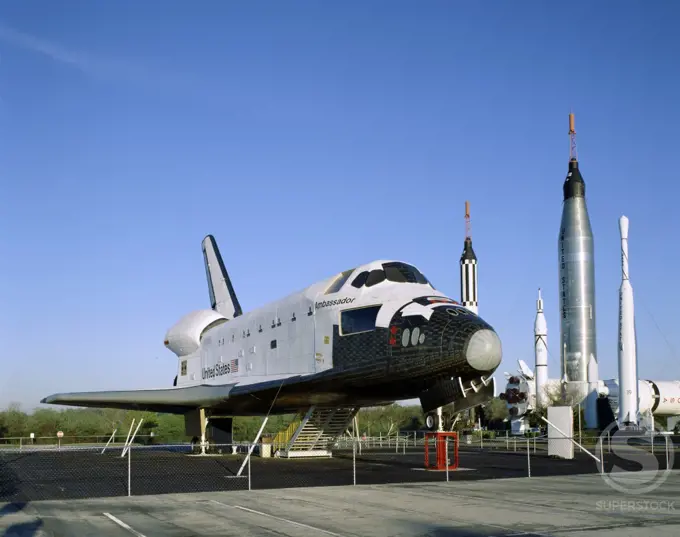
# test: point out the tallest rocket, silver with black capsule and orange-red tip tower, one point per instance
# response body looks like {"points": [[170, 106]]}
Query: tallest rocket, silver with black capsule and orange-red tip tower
{"points": [[576, 286]]}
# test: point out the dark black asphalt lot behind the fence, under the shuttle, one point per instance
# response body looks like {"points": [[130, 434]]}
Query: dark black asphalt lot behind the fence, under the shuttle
{"points": [[28, 476]]}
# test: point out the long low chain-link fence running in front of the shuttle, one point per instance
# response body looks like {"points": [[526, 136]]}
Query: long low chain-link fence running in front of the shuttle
{"points": [[65, 472]]}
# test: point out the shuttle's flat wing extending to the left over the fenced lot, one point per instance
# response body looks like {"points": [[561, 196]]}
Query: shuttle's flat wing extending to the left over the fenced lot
{"points": [[171, 400]]}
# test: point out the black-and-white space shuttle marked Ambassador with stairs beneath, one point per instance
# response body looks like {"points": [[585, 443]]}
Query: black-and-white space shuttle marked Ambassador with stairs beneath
{"points": [[367, 336]]}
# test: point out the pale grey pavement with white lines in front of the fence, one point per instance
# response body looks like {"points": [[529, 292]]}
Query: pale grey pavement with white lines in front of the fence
{"points": [[557, 506]]}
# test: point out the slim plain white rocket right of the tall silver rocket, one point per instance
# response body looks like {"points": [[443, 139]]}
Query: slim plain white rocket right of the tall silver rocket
{"points": [[628, 379]]}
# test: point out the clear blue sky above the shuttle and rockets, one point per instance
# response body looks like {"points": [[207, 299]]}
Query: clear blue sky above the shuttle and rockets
{"points": [[310, 137]]}
